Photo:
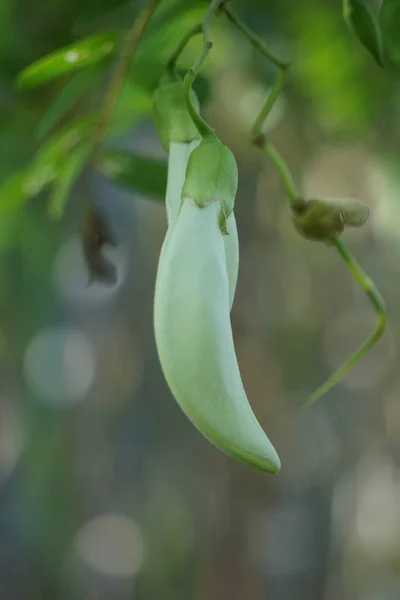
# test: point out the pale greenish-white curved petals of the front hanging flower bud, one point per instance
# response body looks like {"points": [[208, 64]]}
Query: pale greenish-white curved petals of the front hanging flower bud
{"points": [[194, 336]]}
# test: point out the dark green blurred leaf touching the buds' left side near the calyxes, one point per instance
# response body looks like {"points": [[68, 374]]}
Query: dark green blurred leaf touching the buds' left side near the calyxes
{"points": [[143, 174]]}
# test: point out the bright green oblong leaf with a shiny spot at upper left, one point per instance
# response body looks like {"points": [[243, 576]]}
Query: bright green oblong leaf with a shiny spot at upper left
{"points": [[83, 53]]}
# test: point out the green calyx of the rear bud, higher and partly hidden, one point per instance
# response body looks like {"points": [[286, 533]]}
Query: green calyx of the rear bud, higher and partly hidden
{"points": [[171, 115]]}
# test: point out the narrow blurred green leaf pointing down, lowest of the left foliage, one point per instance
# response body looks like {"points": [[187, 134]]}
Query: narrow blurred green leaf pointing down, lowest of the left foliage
{"points": [[67, 177]]}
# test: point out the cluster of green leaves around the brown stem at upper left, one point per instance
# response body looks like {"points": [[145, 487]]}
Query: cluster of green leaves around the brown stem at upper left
{"points": [[57, 164]]}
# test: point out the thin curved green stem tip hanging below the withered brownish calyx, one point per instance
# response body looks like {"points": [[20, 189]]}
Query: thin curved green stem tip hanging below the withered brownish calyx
{"points": [[379, 306]]}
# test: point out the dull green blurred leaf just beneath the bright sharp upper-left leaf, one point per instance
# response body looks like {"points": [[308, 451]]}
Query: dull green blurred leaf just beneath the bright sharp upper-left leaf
{"points": [[69, 95]]}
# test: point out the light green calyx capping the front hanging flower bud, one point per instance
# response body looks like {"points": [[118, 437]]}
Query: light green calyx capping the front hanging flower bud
{"points": [[212, 176]]}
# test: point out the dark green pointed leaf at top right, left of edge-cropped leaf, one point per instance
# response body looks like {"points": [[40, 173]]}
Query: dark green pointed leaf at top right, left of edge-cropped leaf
{"points": [[361, 20]]}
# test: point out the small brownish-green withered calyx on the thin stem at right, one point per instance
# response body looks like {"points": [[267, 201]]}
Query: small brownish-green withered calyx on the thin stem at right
{"points": [[320, 220]]}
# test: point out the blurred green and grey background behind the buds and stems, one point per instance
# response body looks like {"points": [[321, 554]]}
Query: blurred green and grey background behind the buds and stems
{"points": [[106, 490]]}
